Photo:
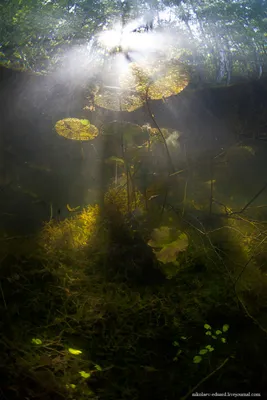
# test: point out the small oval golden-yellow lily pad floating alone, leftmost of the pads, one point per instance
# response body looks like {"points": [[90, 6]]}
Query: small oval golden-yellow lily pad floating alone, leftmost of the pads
{"points": [[76, 129]]}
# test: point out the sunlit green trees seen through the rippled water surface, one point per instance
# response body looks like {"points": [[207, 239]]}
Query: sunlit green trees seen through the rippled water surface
{"points": [[220, 39]]}
